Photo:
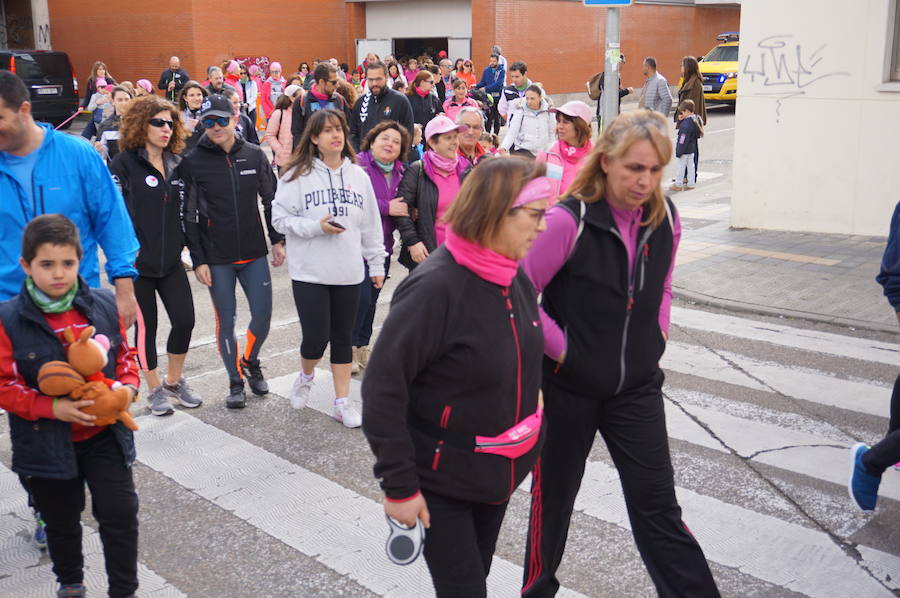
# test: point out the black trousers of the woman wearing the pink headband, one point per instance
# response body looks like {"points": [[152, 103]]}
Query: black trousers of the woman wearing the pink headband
{"points": [[460, 544]]}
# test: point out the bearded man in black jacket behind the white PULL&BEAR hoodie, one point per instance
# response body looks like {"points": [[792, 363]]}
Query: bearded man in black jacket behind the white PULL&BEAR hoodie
{"points": [[377, 104]]}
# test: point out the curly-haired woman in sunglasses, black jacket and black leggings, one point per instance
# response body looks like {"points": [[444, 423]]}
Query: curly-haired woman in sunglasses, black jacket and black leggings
{"points": [[147, 170]]}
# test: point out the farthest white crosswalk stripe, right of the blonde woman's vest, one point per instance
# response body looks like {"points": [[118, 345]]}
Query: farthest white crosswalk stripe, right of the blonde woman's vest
{"points": [[787, 336]]}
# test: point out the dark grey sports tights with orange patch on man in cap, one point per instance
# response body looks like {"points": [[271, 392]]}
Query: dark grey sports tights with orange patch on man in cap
{"points": [[257, 284]]}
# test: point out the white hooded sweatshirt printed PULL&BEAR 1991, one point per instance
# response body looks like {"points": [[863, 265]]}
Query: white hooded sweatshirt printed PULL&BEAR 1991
{"points": [[314, 256]]}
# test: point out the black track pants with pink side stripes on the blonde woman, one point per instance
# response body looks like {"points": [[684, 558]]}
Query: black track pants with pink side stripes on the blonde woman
{"points": [[633, 425]]}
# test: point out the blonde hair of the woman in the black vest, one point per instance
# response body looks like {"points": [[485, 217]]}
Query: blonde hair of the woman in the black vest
{"points": [[590, 185]]}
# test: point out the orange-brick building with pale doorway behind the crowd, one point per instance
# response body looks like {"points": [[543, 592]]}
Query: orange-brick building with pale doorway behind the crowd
{"points": [[561, 40]]}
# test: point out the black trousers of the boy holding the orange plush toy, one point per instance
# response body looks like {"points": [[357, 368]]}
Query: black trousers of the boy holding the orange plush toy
{"points": [[114, 504]]}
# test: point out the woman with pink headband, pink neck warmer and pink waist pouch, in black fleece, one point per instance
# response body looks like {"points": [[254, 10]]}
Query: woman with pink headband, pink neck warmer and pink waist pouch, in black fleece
{"points": [[451, 403]]}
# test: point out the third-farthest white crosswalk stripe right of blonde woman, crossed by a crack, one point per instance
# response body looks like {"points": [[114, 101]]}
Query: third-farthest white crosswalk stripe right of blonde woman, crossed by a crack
{"points": [[819, 456]]}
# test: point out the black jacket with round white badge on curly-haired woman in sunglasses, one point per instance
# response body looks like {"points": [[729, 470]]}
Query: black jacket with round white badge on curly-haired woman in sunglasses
{"points": [[154, 201]]}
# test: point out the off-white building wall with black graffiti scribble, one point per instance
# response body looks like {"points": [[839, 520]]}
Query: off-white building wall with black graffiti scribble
{"points": [[818, 120]]}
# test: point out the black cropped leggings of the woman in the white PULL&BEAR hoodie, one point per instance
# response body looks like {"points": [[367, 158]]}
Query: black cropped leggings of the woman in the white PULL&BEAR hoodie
{"points": [[327, 313]]}
